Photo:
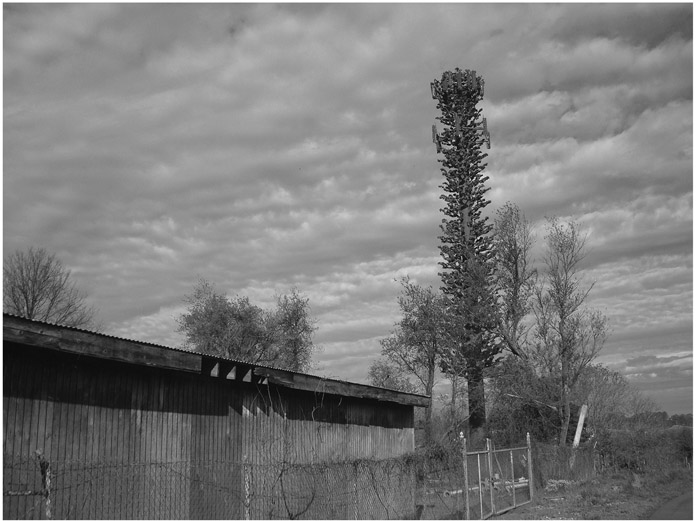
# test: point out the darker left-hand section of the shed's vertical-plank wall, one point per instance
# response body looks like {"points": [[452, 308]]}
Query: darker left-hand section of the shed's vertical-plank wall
{"points": [[121, 441]]}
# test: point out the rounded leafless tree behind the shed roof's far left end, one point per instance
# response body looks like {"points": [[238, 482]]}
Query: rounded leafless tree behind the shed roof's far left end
{"points": [[39, 287]]}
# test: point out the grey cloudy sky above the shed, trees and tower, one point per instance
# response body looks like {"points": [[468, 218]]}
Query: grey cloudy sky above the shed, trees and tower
{"points": [[265, 146]]}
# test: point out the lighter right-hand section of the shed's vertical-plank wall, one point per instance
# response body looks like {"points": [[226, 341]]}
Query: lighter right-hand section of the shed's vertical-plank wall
{"points": [[284, 430]]}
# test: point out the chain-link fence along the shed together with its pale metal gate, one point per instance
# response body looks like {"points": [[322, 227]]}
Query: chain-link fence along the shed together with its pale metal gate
{"points": [[431, 484]]}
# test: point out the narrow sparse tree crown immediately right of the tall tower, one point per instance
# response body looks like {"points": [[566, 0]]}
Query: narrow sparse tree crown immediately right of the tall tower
{"points": [[514, 277]]}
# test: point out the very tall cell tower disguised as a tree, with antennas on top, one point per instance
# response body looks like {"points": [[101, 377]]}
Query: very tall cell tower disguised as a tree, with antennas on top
{"points": [[466, 246]]}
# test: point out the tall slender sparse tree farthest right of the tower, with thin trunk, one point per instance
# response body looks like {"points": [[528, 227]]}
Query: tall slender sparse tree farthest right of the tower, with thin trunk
{"points": [[568, 335]]}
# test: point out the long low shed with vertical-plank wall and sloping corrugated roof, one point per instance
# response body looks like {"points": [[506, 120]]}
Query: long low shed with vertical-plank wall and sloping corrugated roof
{"points": [[102, 427]]}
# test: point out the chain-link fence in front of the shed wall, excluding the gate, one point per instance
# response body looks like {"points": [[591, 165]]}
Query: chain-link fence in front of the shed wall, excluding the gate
{"points": [[360, 489]]}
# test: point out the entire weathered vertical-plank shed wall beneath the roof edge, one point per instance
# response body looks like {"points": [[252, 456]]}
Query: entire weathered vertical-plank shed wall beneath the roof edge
{"points": [[125, 441]]}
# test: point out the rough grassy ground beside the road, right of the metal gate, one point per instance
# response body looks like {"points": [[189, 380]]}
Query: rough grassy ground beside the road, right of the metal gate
{"points": [[611, 496]]}
